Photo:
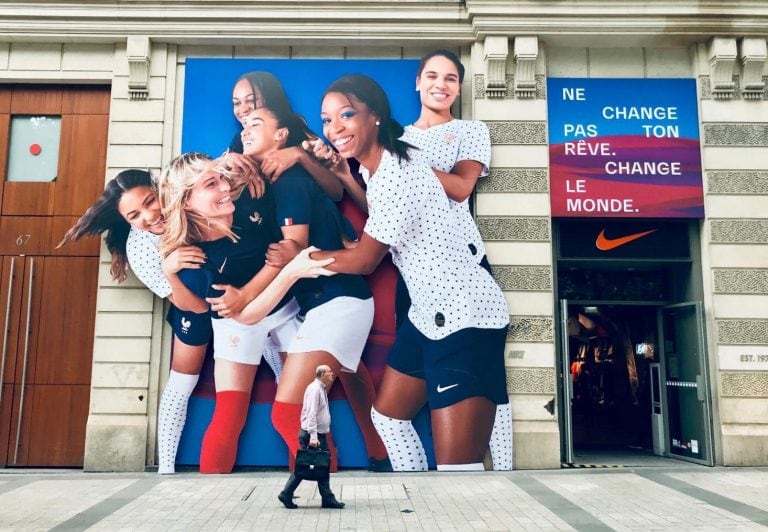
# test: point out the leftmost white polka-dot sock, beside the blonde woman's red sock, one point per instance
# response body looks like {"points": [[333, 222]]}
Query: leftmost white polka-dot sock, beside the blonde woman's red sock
{"points": [[171, 418]]}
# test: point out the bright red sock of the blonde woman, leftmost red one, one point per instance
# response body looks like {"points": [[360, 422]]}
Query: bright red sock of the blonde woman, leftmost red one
{"points": [[219, 449]]}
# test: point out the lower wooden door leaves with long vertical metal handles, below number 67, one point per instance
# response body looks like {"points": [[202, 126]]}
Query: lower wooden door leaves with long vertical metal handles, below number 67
{"points": [[46, 386]]}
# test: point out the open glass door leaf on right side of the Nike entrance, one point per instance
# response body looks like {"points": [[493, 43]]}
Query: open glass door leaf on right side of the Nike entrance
{"points": [[685, 383]]}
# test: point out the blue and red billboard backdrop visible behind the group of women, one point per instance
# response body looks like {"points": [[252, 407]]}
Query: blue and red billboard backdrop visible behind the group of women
{"points": [[208, 126]]}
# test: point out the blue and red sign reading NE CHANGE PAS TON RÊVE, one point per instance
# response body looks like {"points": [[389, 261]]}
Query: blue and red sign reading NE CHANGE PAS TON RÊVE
{"points": [[624, 148]]}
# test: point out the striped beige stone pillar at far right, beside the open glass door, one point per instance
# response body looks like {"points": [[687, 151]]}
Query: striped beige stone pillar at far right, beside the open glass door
{"points": [[735, 256]]}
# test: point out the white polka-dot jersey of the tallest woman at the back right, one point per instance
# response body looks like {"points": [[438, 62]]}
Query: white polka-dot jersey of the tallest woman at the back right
{"points": [[441, 147]]}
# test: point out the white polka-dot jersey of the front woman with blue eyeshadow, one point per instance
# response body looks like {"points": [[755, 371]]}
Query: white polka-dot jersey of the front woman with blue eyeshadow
{"points": [[409, 211]]}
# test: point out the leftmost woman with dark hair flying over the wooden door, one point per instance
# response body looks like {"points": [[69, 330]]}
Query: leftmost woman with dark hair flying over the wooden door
{"points": [[128, 214]]}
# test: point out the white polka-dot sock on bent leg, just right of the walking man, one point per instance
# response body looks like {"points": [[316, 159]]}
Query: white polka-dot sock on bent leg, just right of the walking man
{"points": [[404, 447]]}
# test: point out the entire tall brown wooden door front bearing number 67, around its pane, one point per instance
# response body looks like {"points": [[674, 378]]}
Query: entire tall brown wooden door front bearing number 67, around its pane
{"points": [[48, 295]]}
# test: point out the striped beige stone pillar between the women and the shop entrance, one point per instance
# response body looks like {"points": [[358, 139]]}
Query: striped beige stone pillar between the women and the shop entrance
{"points": [[512, 210]]}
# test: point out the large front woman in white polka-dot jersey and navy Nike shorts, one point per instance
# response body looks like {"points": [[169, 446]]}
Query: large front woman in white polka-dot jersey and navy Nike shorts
{"points": [[449, 351]]}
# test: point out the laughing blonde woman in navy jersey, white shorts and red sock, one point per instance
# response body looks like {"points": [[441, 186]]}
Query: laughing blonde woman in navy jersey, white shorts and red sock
{"points": [[234, 229]]}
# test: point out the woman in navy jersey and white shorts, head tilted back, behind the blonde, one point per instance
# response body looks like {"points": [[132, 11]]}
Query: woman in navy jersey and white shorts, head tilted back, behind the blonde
{"points": [[337, 311]]}
